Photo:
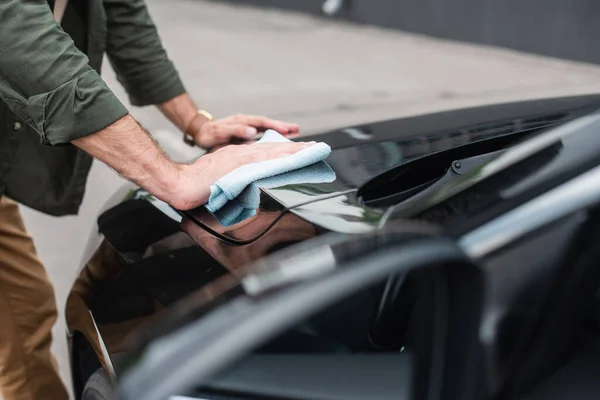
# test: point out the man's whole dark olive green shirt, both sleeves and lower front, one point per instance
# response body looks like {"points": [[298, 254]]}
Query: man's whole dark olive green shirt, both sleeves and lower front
{"points": [[50, 86]]}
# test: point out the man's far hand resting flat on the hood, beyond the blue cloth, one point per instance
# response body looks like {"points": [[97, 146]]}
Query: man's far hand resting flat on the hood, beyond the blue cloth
{"points": [[209, 134]]}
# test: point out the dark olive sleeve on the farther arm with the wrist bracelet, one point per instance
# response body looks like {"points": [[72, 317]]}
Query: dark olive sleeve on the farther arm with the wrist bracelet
{"points": [[137, 55]]}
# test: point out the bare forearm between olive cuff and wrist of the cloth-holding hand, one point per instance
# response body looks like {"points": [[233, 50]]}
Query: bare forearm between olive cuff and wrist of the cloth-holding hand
{"points": [[127, 148]]}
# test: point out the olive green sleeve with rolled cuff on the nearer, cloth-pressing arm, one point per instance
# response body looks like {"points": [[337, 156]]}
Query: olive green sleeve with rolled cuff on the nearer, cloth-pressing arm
{"points": [[46, 81]]}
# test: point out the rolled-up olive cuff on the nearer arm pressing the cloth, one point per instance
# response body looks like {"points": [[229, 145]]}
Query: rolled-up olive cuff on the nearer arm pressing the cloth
{"points": [[78, 108]]}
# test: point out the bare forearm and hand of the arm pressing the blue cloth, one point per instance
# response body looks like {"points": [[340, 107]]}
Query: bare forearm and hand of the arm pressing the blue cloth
{"points": [[127, 148]]}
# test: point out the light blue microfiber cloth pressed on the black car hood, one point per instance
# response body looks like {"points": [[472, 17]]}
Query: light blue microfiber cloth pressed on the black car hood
{"points": [[236, 196]]}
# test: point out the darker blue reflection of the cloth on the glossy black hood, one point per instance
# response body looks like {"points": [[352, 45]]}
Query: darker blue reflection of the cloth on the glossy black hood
{"points": [[247, 202]]}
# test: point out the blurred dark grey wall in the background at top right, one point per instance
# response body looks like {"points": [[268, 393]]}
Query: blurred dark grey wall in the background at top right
{"points": [[560, 28]]}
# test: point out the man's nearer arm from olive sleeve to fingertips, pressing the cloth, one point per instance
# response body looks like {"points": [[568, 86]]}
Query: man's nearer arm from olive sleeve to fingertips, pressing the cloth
{"points": [[46, 81]]}
